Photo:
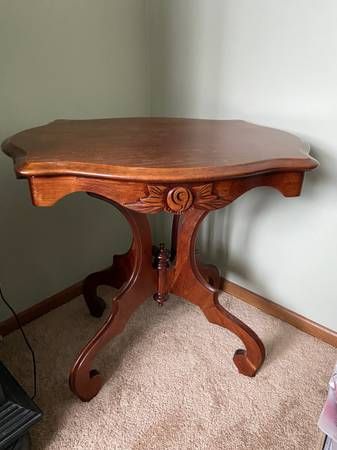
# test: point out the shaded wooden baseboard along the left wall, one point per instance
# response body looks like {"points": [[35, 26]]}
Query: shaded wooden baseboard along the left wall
{"points": [[41, 308]]}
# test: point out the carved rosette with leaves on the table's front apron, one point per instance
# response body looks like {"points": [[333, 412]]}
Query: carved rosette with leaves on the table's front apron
{"points": [[178, 199]]}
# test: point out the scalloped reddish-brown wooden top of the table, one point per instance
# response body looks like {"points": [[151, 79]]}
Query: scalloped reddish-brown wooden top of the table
{"points": [[156, 149]]}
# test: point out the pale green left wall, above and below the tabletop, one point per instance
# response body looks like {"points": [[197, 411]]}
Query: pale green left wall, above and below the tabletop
{"points": [[63, 59]]}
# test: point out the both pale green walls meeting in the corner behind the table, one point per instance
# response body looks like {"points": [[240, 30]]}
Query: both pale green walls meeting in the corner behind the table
{"points": [[266, 62]]}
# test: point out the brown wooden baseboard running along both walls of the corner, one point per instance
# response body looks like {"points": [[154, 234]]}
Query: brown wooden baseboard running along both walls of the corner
{"points": [[265, 305]]}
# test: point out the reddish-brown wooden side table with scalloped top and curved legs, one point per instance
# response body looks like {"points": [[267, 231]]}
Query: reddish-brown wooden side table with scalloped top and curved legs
{"points": [[186, 167]]}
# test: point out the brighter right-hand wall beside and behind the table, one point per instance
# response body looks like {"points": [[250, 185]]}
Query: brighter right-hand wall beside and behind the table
{"points": [[272, 63]]}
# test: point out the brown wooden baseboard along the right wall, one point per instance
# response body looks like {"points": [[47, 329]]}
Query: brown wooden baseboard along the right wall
{"points": [[282, 313]]}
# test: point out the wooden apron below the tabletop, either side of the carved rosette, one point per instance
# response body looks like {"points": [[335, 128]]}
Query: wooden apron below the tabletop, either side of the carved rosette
{"points": [[46, 191]]}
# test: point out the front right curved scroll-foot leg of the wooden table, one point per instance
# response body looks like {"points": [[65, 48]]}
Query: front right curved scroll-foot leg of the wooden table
{"points": [[188, 282]]}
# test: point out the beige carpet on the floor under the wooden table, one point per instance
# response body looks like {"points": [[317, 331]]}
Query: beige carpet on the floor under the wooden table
{"points": [[171, 383]]}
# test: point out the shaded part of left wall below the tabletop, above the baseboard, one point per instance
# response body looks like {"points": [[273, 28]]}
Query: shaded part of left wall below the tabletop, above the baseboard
{"points": [[44, 250]]}
